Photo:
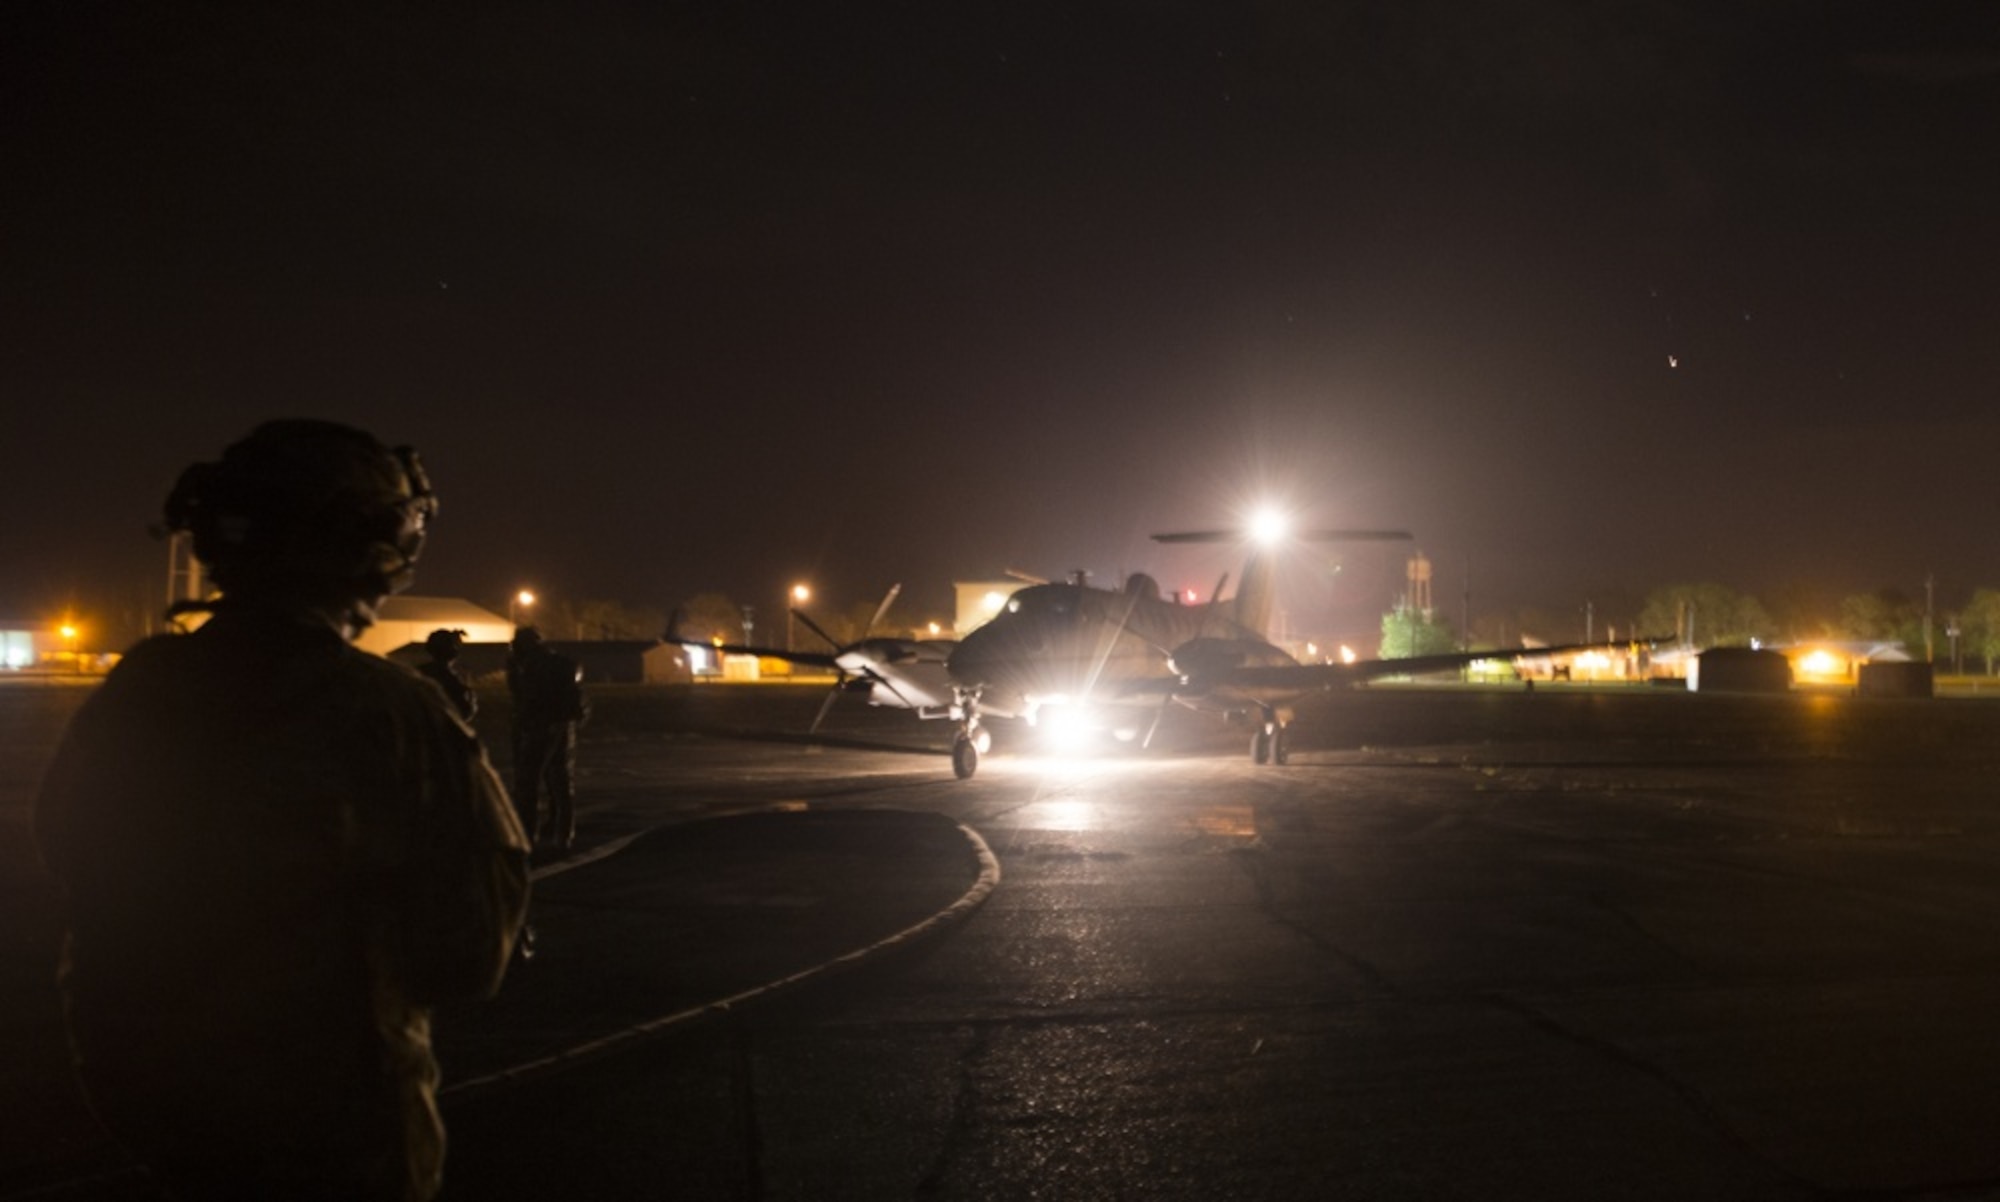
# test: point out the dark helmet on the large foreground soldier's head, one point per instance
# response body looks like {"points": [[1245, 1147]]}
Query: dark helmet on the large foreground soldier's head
{"points": [[307, 507]]}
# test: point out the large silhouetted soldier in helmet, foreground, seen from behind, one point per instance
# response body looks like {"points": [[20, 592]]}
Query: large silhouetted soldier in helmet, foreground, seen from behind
{"points": [[279, 853]]}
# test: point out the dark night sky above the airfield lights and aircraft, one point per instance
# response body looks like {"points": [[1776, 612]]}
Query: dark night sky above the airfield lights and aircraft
{"points": [[715, 297]]}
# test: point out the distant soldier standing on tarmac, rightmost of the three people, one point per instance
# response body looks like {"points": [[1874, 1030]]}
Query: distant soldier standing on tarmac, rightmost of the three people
{"points": [[549, 703]]}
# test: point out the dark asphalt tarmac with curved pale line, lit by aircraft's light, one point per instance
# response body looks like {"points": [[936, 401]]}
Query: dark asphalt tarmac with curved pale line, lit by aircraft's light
{"points": [[1469, 945]]}
